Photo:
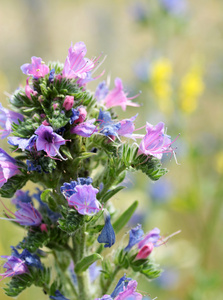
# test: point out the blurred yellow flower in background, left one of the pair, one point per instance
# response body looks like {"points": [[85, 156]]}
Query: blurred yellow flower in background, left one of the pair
{"points": [[160, 76]]}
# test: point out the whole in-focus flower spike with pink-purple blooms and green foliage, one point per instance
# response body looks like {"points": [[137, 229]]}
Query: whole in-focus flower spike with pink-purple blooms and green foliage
{"points": [[71, 143]]}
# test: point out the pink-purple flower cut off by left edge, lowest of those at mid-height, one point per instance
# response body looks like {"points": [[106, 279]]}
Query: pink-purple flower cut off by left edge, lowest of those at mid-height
{"points": [[8, 167]]}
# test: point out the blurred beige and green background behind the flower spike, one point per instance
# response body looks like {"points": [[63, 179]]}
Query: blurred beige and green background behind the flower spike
{"points": [[171, 50]]}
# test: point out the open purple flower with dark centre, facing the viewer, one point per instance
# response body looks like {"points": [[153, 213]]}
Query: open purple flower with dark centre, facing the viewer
{"points": [[48, 141]]}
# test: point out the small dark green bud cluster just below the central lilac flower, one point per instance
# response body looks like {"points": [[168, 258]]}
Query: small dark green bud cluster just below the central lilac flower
{"points": [[71, 220]]}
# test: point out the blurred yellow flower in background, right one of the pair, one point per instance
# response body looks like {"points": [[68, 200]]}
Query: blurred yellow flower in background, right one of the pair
{"points": [[191, 88]]}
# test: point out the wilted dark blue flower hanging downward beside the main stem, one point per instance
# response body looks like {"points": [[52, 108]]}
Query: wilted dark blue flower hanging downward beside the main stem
{"points": [[107, 235]]}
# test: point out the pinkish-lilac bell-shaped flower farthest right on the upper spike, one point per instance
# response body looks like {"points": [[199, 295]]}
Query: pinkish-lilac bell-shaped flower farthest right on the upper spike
{"points": [[155, 142]]}
